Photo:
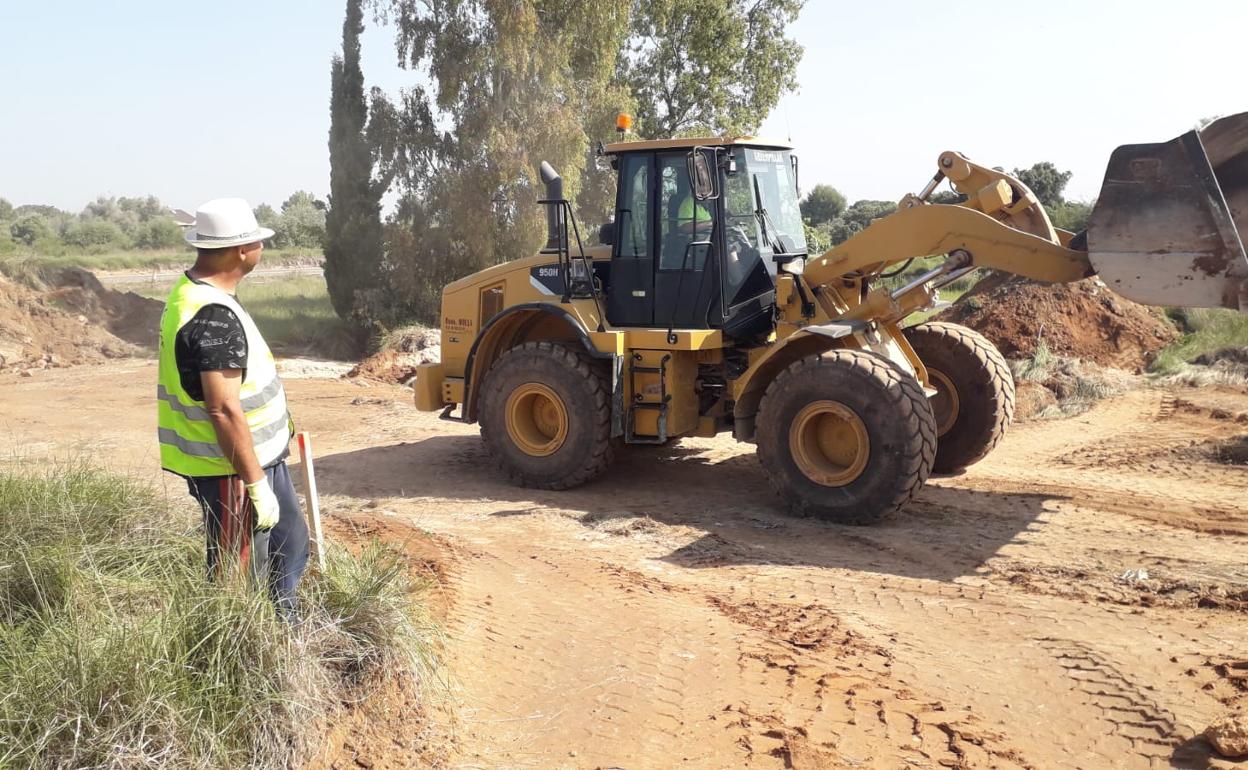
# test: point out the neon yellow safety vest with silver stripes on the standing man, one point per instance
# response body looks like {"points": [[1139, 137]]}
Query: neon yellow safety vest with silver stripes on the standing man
{"points": [[188, 440]]}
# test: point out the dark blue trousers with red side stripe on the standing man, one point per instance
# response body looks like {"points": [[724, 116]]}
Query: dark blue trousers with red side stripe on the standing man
{"points": [[229, 525]]}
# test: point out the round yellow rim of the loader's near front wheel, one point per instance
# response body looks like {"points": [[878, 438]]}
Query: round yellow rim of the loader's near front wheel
{"points": [[829, 444]]}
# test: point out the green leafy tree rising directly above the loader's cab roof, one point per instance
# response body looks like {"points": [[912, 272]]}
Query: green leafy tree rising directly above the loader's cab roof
{"points": [[709, 67]]}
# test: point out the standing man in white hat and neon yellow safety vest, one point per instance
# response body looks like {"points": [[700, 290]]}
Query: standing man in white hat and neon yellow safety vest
{"points": [[222, 409]]}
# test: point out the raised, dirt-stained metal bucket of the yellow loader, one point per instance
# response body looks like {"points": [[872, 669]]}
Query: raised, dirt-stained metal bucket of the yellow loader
{"points": [[1170, 225]]}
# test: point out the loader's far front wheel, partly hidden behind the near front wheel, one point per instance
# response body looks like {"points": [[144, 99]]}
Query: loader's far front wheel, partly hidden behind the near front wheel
{"points": [[975, 397]]}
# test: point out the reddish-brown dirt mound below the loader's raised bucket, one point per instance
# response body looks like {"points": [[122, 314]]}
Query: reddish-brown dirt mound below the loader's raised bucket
{"points": [[1083, 320]]}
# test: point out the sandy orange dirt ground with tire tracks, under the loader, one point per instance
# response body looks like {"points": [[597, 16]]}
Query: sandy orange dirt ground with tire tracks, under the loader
{"points": [[1076, 601]]}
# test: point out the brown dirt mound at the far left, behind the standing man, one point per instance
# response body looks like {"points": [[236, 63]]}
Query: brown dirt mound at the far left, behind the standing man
{"points": [[71, 325]]}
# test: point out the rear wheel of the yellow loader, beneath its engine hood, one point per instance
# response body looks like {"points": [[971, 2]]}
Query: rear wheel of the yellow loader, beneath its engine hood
{"points": [[546, 416]]}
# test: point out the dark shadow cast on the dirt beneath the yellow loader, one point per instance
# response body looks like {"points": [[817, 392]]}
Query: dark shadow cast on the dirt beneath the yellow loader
{"points": [[947, 534]]}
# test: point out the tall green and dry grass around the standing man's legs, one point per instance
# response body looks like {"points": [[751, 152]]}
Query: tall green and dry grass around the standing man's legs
{"points": [[117, 652]]}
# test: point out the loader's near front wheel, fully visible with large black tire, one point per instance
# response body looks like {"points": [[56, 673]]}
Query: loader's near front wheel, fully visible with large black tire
{"points": [[847, 436]]}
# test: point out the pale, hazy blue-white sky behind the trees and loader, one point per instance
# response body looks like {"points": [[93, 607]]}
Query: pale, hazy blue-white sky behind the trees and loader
{"points": [[194, 102]]}
